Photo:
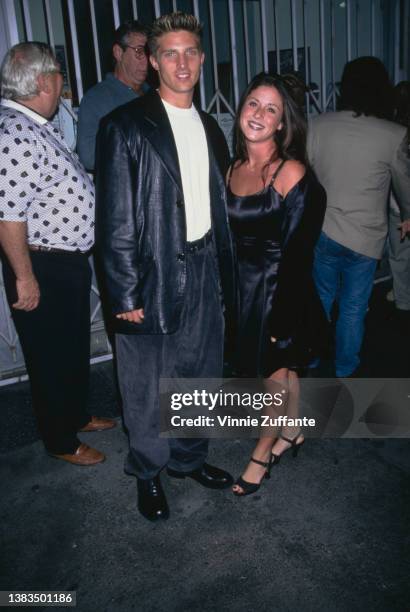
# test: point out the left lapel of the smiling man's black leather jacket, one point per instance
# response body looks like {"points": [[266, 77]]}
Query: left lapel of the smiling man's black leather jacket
{"points": [[161, 136]]}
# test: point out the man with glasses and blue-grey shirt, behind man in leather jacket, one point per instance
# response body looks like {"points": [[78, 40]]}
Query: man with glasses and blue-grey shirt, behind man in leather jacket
{"points": [[124, 84]]}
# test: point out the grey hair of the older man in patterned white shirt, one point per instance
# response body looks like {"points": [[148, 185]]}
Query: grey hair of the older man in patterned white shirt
{"points": [[21, 68]]}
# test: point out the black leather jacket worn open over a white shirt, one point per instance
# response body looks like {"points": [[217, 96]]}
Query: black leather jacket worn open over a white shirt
{"points": [[141, 227]]}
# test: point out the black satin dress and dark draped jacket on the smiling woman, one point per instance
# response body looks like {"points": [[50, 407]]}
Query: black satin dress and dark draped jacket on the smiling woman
{"points": [[274, 239]]}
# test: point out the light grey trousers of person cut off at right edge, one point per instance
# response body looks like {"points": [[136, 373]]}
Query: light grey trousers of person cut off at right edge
{"points": [[399, 260]]}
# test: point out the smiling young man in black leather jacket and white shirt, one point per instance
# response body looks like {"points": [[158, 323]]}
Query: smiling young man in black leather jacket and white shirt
{"points": [[164, 241]]}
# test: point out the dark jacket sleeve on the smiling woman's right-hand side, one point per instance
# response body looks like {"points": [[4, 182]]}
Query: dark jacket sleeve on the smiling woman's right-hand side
{"points": [[302, 222]]}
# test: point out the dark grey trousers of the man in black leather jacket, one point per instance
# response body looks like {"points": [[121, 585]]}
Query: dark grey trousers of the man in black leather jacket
{"points": [[194, 351]]}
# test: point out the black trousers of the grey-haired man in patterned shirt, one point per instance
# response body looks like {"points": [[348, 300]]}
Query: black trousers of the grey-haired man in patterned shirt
{"points": [[55, 338]]}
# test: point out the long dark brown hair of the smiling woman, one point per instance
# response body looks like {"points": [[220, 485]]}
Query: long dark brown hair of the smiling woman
{"points": [[291, 139]]}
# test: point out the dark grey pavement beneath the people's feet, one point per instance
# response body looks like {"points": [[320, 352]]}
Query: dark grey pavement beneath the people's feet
{"points": [[328, 532]]}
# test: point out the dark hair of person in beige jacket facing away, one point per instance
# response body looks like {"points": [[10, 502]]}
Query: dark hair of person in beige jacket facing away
{"points": [[366, 89]]}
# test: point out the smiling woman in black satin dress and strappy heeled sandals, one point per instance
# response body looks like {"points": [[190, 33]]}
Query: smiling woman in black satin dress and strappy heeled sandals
{"points": [[276, 209]]}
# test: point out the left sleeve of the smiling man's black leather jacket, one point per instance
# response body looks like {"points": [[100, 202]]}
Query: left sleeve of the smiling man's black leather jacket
{"points": [[116, 218]]}
